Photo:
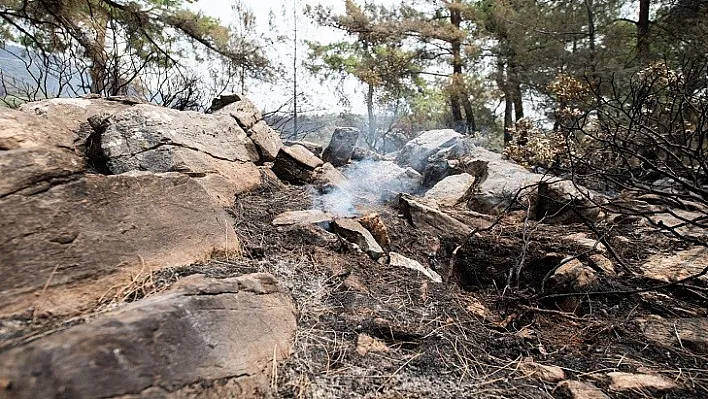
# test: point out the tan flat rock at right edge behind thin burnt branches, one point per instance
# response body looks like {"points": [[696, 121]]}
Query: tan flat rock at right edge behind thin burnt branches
{"points": [[680, 265]]}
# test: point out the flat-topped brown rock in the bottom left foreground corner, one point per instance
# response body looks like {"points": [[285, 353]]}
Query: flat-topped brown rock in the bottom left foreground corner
{"points": [[204, 330]]}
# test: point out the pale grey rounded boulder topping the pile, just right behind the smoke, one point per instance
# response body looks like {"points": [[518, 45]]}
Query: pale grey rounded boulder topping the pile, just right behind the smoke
{"points": [[417, 151]]}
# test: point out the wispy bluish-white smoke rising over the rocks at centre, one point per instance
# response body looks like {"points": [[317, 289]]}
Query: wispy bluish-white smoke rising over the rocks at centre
{"points": [[368, 183]]}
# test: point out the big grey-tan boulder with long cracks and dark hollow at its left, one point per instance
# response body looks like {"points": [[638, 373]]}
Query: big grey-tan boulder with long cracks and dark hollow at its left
{"points": [[211, 148]]}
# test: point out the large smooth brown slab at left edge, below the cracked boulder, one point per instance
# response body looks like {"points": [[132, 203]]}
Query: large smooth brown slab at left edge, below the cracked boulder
{"points": [[98, 231]]}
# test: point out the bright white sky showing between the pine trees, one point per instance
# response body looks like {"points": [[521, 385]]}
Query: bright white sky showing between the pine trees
{"points": [[322, 97]]}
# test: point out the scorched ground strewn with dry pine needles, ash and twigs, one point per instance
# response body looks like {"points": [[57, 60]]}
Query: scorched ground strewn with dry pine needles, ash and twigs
{"points": [[367, 330]]}
